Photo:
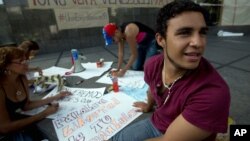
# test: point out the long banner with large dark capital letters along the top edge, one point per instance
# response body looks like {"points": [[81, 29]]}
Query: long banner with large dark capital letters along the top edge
{"points": [[45, 4]]}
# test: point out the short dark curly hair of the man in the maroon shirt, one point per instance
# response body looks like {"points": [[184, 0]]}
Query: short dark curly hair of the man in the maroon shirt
{"points": [[174, 8]]}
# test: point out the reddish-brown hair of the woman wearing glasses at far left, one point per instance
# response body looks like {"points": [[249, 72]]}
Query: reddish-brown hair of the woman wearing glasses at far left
{"points": [[7, 54]]}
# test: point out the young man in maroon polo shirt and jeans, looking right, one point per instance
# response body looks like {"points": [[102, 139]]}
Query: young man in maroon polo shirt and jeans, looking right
{"points": [[192, 100]]}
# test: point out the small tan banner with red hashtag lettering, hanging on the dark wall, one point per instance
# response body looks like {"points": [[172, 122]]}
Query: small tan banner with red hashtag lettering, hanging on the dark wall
{"points": [[81, 18]]}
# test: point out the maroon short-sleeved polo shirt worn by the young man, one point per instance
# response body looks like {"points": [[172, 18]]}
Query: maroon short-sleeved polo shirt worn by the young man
{"points": [[201, 96]]}
